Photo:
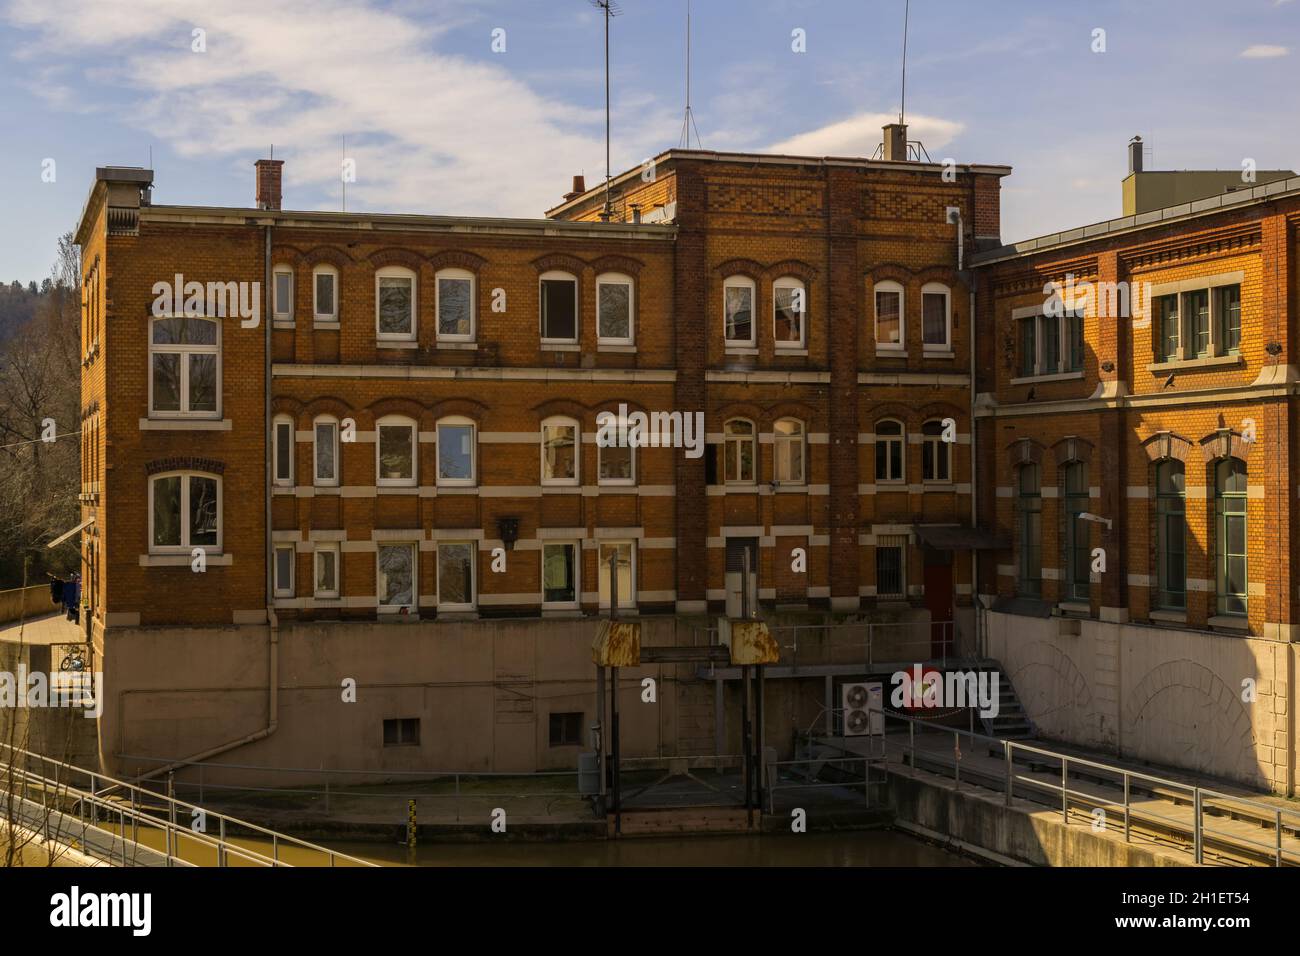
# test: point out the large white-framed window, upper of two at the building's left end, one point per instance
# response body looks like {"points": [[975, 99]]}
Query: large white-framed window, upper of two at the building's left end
{"points": [[185, 367]]}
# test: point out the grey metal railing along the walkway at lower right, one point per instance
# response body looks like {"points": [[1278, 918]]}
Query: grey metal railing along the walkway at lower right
{"points": [[1202, 801]]}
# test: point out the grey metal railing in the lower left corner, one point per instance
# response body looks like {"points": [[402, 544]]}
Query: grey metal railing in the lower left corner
{"points": [[106, 802]]}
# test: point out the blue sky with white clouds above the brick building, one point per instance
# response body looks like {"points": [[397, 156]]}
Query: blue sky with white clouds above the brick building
{"points": [[489, 107]]}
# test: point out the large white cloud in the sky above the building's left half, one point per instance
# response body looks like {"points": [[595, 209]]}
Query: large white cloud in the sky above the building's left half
{"points": [[431, 132]]}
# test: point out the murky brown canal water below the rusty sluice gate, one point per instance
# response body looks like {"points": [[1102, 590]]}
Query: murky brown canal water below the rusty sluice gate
{"points": [[844, 849]]}
